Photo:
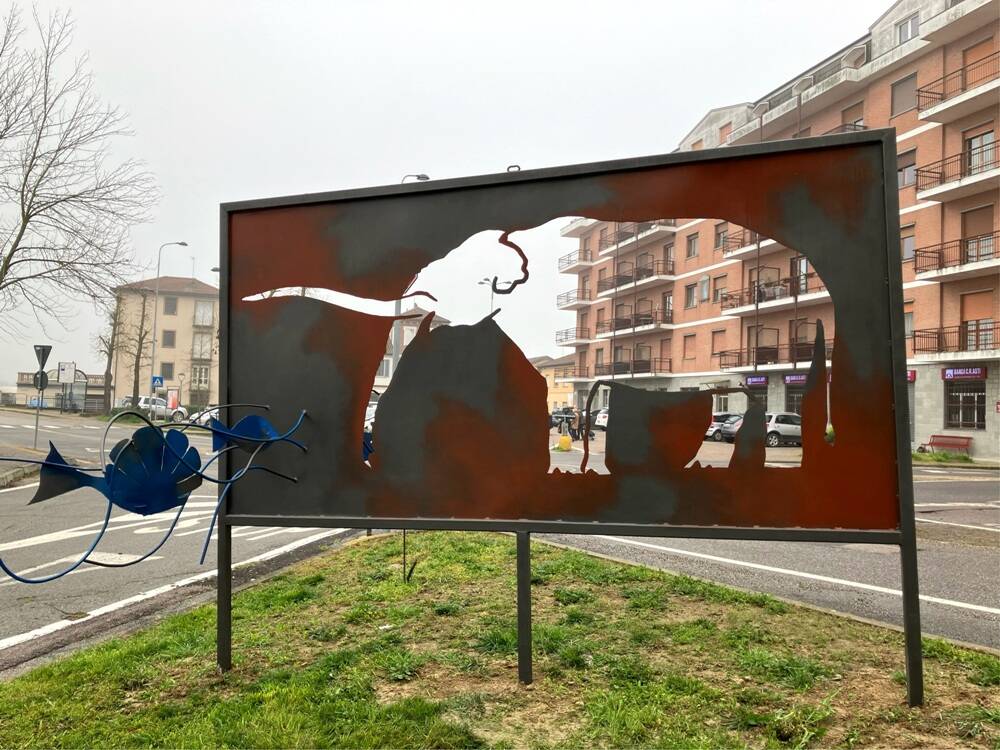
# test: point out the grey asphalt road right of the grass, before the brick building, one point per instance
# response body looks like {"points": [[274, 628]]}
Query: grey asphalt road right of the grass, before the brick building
{"points": [[958, 532]]}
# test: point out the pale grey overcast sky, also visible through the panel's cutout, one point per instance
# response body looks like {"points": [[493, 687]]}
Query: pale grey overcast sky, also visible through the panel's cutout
{"points": [[236, 100]]}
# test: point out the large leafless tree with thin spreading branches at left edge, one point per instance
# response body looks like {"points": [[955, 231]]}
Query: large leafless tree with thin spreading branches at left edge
{"points": [[65, 205]]}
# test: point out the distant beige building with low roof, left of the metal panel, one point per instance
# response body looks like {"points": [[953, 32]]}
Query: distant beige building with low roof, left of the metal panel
{"points": [[187, 339]]}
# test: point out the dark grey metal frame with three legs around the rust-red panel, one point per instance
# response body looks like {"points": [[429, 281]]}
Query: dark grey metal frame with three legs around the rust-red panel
{"points": [[904, 537]]}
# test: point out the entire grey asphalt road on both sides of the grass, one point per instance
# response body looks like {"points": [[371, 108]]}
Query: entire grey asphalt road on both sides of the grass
{"points": [[958, 512]]}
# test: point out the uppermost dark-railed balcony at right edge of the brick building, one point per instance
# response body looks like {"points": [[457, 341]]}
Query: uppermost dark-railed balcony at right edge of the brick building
{"points": [[961, 93]]}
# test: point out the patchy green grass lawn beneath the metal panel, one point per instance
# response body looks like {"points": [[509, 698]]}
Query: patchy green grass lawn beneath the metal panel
{"points": [[338, 651]]}
